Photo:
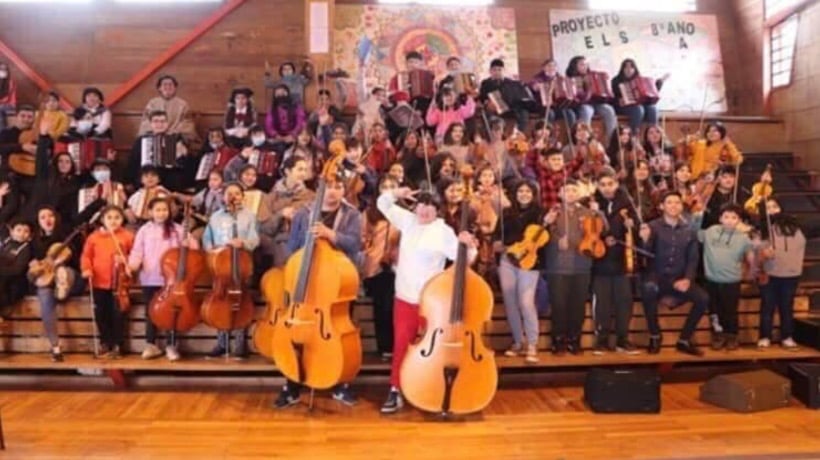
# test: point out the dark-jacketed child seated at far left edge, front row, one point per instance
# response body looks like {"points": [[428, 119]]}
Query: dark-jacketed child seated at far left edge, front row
{"points": [[15, 254]]}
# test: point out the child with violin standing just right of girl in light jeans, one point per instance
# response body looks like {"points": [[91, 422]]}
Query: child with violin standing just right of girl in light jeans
{"points": [[568, 269]]}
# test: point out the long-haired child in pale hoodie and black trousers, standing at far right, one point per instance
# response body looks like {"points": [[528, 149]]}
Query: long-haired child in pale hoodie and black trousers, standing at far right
{"points": [[782, 251]]}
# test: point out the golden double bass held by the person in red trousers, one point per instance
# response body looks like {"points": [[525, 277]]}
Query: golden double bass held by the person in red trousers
{"points": [[450, 370]]}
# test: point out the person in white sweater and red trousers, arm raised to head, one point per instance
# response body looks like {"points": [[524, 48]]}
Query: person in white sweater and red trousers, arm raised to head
{"points": [[426, 244]]}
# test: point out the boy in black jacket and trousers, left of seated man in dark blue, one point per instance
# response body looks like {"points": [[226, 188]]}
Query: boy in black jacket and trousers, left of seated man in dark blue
{"points": [[612, 293]]}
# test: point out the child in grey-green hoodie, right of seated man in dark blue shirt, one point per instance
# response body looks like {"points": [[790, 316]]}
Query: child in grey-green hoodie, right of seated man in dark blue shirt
{"points": [[725, 246]]}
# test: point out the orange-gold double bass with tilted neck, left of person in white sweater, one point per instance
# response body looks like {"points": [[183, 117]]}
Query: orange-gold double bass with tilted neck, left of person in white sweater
{"points": [[315, 342]]}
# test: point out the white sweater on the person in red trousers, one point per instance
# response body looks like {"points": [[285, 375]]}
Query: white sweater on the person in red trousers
{"points": [[423, 249]]}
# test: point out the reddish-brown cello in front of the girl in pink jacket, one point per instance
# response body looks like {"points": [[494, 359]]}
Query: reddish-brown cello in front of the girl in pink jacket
{"points": [[176, 307]]}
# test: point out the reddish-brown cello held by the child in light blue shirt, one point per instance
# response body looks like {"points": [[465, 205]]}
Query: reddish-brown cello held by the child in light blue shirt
{"points": [[229, 305]]}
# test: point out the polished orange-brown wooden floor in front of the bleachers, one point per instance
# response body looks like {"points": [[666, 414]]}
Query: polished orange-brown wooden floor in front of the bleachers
{"points": [[527, 420]]}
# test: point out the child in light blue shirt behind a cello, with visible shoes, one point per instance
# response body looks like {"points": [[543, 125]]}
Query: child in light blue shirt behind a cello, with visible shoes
{"points": [[218, 234]]}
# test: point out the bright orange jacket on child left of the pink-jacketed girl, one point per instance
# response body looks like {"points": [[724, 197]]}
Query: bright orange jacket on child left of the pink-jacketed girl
{"points": [[99, 253]]}
